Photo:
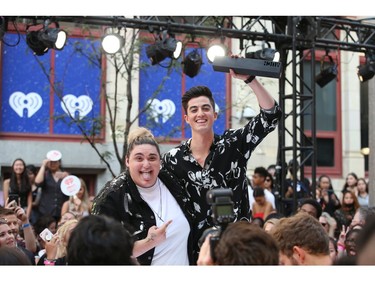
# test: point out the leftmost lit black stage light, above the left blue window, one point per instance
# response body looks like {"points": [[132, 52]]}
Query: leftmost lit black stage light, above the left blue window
{"points": [[46, 38]]}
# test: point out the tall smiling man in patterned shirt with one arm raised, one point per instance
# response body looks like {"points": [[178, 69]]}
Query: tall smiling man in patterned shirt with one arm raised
{"points": [[207, 160]]}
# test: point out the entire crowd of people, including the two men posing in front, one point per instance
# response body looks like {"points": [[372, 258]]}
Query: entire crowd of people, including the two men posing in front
{"points": [[158, 212]]}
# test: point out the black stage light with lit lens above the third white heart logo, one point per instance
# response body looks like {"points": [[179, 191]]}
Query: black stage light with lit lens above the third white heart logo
{"points": [[165, 47]]}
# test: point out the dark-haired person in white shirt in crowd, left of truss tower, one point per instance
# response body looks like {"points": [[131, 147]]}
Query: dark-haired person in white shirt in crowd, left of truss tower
{"points": [[259, 180]]}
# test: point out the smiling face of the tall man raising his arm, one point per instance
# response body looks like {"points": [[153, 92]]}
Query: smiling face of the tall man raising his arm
{"points": [[200, 114]]}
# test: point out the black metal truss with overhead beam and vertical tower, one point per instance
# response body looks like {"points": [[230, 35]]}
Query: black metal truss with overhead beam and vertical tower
{"points": [[294, 36]]}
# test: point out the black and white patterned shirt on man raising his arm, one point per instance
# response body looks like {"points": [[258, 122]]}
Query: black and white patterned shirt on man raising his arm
{"points": [[225, 167]]}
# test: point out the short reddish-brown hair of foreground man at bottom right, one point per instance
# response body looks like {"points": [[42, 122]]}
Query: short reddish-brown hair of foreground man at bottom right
{"points": [[301, 230]]}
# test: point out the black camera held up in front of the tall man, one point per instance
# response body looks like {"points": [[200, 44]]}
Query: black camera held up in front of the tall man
{"points": [[222, 214]]}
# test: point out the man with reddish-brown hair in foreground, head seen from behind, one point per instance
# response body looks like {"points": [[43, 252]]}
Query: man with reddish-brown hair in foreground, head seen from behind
{"points": [[302, 241]]}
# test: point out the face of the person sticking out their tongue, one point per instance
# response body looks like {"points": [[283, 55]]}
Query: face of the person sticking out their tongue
{"points": [[144, 164]]}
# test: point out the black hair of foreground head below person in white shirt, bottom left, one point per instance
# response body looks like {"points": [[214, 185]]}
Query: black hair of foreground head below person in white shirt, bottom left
{"points": [[100, 240]]}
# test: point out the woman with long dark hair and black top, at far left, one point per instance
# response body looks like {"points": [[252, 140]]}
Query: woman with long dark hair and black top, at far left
{"points": [[19, 185]]}
